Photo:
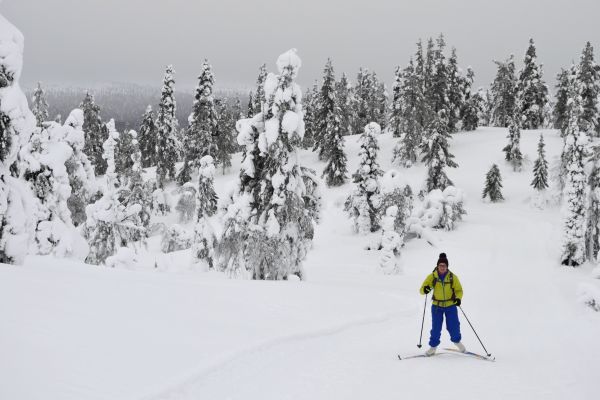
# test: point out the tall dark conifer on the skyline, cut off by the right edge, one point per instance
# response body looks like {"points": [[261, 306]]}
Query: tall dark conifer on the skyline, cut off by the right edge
{"points": [[589, 78]]}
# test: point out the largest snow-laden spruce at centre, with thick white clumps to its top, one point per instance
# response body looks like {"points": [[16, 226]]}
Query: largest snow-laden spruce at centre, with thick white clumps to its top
{"points": [[268, 224]]}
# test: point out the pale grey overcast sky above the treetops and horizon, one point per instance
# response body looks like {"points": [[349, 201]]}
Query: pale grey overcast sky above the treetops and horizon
{"points": [[84, 42]]}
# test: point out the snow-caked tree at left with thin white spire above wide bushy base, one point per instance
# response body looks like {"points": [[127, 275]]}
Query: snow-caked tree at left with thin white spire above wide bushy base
{"points": [[110, 223]]}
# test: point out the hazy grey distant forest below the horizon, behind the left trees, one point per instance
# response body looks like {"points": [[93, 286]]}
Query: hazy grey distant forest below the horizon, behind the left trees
{"points": [[126, 103]]}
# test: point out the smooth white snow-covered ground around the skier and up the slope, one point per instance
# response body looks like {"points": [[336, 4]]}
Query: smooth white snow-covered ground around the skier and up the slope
{"points": [[74, 331]]}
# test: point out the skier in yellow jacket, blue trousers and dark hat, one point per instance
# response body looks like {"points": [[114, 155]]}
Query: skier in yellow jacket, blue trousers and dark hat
{"points": [[447, 294]]}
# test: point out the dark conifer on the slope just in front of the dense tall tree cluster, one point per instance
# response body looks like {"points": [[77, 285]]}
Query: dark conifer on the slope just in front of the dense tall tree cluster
{"points": [[436, 153]]}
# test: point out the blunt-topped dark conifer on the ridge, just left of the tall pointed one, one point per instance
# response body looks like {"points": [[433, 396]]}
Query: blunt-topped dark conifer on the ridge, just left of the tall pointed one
{"points": [[504, 93]]}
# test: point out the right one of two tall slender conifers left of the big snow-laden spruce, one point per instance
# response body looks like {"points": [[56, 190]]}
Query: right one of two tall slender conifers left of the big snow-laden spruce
{"points": [[200, 136]]}
